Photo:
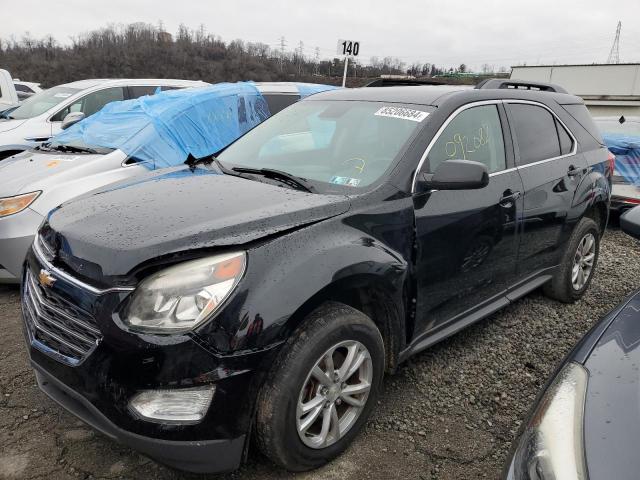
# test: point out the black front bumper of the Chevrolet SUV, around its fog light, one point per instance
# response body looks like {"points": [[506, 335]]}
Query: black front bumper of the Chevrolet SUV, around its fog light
{"points": [[98, 384]]}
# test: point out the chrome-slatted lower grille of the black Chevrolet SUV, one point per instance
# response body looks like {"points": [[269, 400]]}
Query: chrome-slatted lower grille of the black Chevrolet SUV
{"points": [[55, 325]]}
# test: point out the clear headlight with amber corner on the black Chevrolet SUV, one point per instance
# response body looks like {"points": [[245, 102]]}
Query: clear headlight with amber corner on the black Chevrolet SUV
{"points": [[183, 296]]}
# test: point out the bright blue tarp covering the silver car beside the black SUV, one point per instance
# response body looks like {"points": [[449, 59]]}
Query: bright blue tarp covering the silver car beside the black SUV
{"points": [[162, 130]]}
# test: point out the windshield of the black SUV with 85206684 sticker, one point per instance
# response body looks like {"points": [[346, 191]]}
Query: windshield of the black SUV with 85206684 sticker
{"points": [[335, 145]]}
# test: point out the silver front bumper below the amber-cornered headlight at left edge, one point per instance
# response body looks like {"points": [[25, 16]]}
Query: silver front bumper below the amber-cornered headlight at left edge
{"points": [[16, 236]]}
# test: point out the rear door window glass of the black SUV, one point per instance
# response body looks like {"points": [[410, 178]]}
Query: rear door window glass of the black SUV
{"points": [[536, 133]]}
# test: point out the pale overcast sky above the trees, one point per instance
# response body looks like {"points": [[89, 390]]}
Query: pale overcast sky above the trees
{"points": [[447, 33]]}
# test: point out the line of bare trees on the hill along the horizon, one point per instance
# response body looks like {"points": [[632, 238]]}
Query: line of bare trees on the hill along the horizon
{"points": [[142, 50]]}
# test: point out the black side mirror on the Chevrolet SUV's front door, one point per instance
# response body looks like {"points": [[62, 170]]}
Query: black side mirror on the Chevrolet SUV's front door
{"points": [[456, 175]]}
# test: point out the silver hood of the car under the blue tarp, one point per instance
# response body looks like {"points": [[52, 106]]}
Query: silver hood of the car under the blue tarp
{"points": [[61, 176]]}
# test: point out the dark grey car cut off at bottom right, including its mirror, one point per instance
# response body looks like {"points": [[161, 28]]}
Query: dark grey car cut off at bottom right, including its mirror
{"points": [[586, 422]]}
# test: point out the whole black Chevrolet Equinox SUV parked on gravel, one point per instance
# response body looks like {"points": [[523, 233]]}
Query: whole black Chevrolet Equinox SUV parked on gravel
{"points": [[261, 293]]}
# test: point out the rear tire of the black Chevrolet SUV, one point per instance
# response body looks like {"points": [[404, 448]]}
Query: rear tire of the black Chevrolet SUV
{"points": [[563, 286]]}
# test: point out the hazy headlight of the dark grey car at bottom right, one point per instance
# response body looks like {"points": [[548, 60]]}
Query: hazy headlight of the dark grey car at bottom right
{"points": [[551, 447]]}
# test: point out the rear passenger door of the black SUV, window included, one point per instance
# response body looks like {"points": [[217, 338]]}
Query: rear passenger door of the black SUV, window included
{"points": [[551, 171]]}
